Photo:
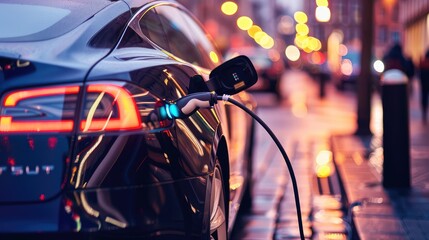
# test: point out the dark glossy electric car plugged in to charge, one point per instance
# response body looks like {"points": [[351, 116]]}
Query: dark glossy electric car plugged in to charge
{"points": [[86, 149]]}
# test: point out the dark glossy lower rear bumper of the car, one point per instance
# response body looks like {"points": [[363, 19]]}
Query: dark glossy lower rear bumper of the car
{"points": [[174, 210]]}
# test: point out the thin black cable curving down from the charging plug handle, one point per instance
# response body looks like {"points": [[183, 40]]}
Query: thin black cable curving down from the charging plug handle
{"points": [[283, 152]]}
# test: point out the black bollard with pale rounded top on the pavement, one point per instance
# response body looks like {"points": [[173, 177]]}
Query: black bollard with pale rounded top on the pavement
{"points": [[396, 133]]}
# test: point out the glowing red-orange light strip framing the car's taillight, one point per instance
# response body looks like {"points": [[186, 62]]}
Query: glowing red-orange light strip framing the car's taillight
{"points": [[128, 114]]}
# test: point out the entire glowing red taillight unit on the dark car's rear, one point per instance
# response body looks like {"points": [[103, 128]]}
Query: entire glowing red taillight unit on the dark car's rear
{"points": [[106, 107]]}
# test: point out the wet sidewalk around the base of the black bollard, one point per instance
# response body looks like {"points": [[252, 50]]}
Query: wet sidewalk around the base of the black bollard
{"points": [[376, 212]]}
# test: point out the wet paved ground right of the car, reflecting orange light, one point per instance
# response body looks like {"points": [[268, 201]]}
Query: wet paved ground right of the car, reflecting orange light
{"points": [[338, 174]]}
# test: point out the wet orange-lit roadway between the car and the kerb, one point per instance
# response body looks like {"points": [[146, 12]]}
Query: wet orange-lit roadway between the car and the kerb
{"points": [[302, 122]]}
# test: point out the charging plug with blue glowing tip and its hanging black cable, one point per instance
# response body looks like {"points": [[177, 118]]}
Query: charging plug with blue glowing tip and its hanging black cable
{"points": [[187, 105]]}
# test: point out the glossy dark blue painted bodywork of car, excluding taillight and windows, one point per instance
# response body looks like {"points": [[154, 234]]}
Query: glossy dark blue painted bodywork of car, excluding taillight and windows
{"points": [[154, 181]]}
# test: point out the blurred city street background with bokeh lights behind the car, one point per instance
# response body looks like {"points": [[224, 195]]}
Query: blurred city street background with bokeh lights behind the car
{"points": [[321, 65]]}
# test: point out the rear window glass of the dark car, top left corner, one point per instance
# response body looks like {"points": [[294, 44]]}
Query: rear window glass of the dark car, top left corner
{"points": [[32, 20]]}
